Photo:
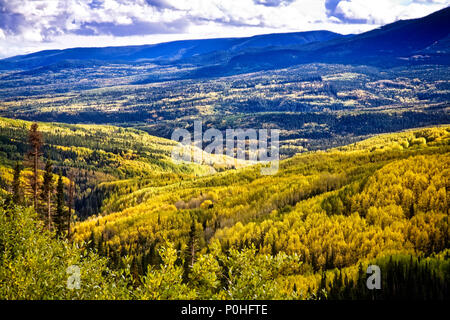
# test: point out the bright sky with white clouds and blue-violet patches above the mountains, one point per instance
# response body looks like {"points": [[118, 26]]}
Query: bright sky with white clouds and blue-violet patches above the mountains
{"points": [[34, 25]]}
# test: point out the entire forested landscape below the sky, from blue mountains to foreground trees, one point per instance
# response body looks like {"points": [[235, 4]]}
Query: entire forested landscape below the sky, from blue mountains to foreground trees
{"points": [[88, 181]]}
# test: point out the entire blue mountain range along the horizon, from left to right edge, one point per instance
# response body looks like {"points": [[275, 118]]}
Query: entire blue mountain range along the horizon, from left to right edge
{"points": [[416, 41]]}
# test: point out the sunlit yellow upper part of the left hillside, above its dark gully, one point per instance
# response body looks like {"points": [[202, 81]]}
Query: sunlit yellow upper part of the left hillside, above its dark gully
{"points": [[119, 151]]}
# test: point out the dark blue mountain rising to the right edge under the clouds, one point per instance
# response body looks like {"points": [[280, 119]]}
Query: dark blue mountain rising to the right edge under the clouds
{"points": [[391, 45]]}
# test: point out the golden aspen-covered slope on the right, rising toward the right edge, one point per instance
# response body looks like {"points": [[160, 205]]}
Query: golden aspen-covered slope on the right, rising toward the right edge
{"points": [[386, 194]]}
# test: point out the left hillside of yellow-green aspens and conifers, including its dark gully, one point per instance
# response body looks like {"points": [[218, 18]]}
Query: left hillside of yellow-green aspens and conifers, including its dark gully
{"points": [[94, 154]]}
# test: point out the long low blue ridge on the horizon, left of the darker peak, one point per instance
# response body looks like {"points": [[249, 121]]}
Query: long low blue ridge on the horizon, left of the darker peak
{"points": [[164, 52]]}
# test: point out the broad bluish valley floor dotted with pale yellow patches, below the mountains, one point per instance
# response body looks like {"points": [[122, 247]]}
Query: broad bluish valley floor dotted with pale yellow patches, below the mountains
{"points": [[314, 106]]}
